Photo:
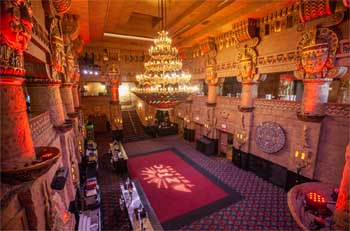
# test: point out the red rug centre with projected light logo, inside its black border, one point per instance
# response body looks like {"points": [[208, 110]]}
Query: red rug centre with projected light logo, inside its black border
{"points": [[172, 185]]}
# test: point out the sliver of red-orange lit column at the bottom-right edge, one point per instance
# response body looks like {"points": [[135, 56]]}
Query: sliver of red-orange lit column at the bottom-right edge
{"points": [[342, 212]]}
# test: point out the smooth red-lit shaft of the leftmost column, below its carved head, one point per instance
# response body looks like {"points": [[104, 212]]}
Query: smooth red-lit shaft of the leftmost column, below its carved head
{"points": [[17, 149]]}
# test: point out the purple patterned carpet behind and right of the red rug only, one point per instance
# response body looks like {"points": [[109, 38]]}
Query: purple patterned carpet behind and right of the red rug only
{"points": [[264, 207]]}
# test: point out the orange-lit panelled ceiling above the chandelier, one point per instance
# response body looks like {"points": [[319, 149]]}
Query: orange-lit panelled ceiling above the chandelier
{"points": [[188, 21]]}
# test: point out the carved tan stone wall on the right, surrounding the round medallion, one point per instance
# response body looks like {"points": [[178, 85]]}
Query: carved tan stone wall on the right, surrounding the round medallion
{"points": [[327, 140]]}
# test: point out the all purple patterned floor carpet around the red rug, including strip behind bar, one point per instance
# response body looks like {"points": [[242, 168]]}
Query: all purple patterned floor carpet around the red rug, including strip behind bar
{"points": [[264, 206]]}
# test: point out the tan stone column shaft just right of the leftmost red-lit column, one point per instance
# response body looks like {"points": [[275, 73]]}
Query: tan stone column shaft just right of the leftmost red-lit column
{"points": [[45, 96]]}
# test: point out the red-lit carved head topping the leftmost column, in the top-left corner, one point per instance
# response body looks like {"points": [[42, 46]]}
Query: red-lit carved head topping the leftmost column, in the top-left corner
{"points": [[16, 23]]}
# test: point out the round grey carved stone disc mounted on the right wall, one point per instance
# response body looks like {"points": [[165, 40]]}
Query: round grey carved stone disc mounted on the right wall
{"points": [[270, 137]]}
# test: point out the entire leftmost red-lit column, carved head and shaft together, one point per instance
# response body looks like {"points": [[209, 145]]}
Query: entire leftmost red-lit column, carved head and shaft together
{"points": [[17, 148]]}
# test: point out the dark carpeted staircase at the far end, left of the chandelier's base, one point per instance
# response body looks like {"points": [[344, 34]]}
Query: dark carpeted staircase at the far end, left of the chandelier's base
{"points": [[132, 127]]}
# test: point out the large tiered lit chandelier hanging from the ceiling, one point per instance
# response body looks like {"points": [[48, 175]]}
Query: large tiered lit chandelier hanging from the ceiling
{"points": [[164, 83]]}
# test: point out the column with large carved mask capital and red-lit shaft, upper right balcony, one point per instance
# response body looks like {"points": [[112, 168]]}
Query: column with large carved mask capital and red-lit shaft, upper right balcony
{"points": [[317, 73]]}
